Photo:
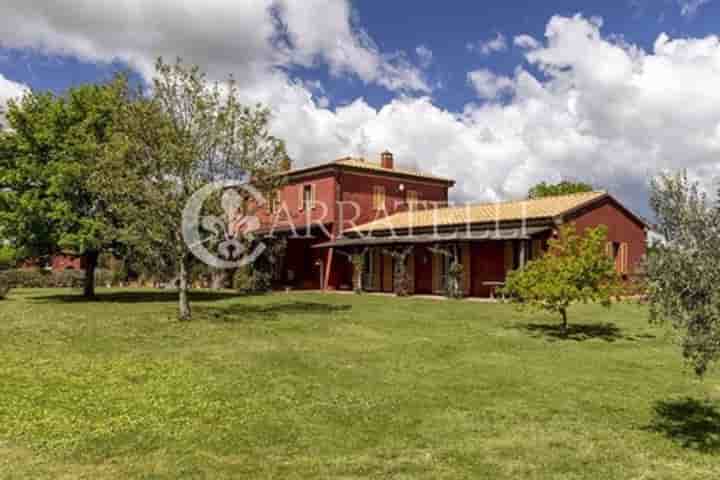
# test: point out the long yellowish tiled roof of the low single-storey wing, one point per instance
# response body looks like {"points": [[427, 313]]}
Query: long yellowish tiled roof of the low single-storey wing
{"points": [[548, 207]]}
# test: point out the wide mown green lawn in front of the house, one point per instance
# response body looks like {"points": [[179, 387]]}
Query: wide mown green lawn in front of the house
{"points": [[343, 386]]}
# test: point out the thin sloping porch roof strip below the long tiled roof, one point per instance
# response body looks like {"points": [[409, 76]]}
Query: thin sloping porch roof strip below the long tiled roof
{"points": [[477, 236]]}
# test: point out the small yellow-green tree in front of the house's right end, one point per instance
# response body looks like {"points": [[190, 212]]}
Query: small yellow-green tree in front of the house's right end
{"points": [[575, 269]]}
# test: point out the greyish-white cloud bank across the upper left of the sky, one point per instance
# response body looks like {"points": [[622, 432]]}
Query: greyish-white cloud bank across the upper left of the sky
{"points": [[247, 38]]}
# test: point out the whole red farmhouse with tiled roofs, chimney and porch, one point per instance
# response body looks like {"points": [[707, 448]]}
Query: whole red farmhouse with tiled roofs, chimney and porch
{"points": [[331, 210]]}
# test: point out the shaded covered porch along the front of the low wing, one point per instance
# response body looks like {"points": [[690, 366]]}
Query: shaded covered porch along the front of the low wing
{"points": [[486, 257]]}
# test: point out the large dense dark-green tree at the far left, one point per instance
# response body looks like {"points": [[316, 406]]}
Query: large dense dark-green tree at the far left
{"points": [[51, 150]]}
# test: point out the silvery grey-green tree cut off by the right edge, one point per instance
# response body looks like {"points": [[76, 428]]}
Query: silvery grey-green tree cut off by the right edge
{"points": [[683, 273]]}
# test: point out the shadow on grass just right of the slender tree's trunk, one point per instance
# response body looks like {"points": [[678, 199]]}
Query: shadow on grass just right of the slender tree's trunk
{"points": [[240, 313]]}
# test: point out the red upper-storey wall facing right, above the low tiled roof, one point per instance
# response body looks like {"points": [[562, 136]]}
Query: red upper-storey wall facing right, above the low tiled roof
{"points": [[357, 189]]}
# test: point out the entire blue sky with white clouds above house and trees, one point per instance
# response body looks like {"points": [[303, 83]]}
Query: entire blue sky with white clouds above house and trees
{"points": [[498, 95]]}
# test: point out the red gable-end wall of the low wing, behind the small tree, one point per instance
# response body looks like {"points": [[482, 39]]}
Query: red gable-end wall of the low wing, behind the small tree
{"points": [[622, 228]]}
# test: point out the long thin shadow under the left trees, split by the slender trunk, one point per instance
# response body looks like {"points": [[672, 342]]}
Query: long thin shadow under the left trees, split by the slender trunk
{"points": [[149, 296]]}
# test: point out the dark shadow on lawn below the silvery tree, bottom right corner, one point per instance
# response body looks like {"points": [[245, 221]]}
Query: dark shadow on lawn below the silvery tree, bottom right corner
{"points": [[692, 423]]}
